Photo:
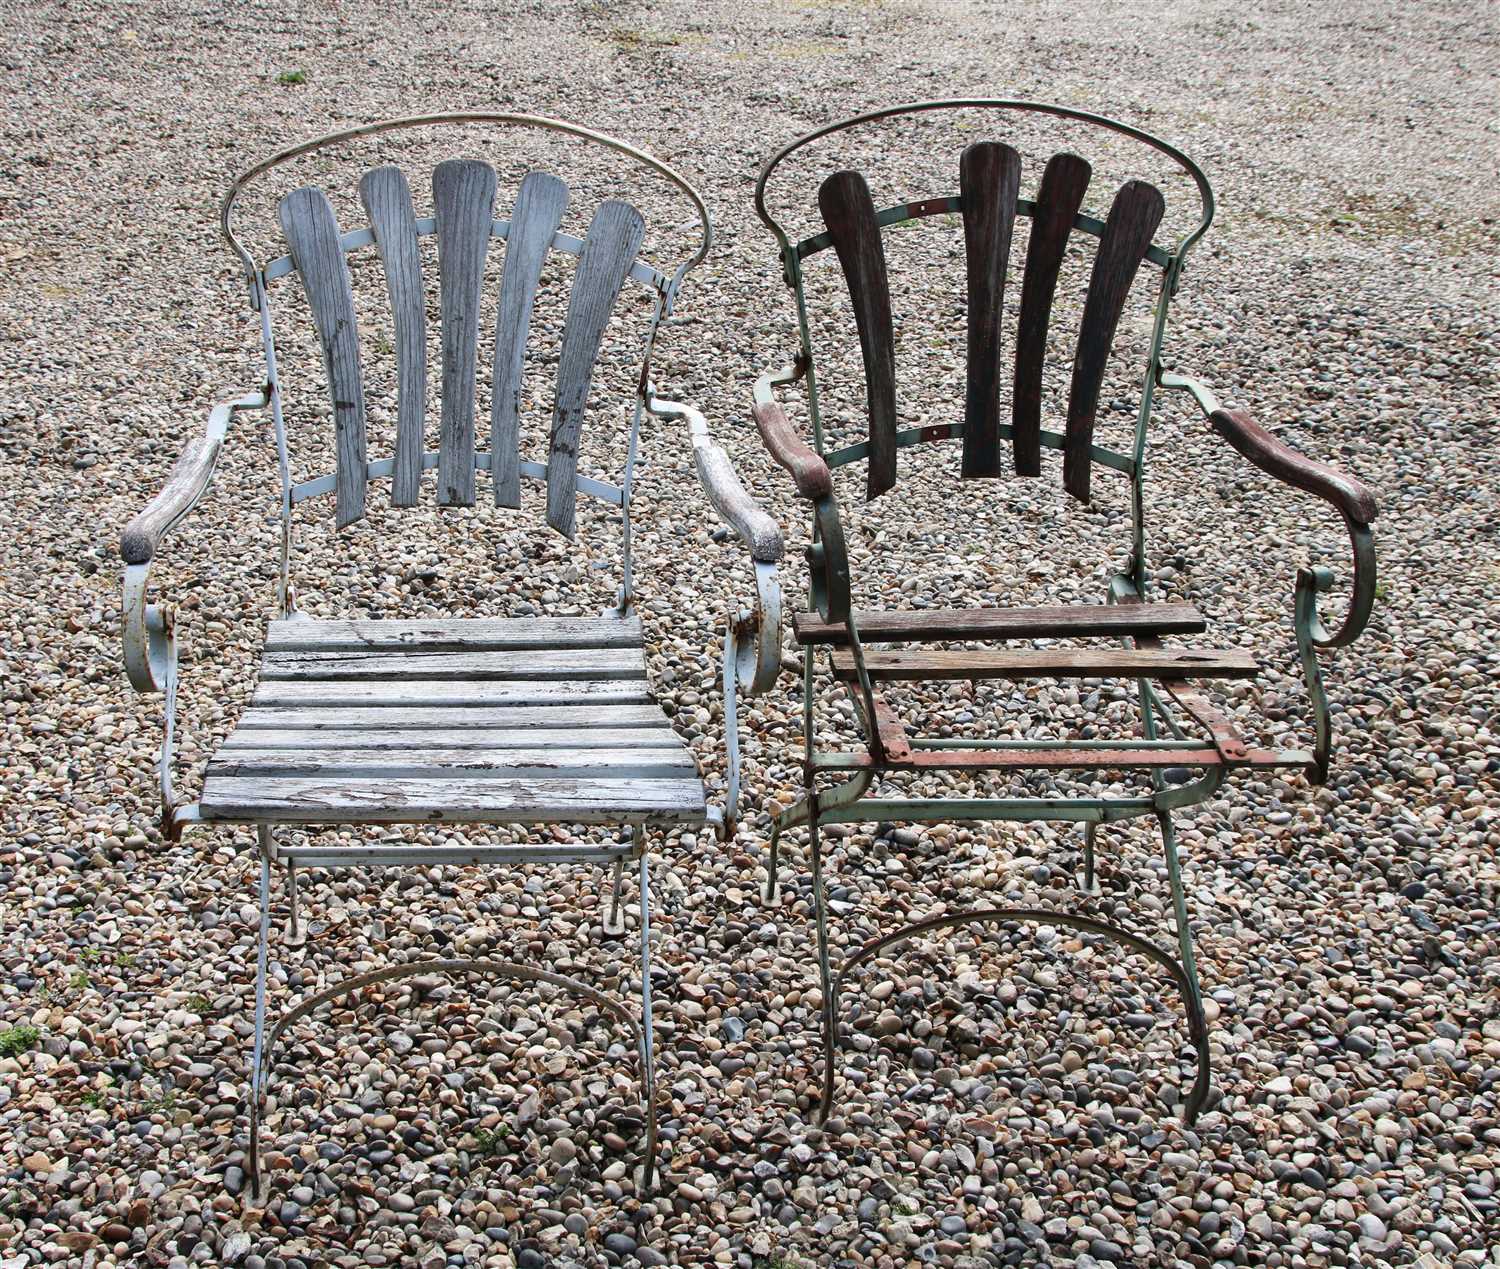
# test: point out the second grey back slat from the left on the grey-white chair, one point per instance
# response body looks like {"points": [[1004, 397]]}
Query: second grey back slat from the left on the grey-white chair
{"points": [[388, 202]]}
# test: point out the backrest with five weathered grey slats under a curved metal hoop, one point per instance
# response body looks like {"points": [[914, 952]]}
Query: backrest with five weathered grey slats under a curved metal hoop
{"points": [[466, 218]]}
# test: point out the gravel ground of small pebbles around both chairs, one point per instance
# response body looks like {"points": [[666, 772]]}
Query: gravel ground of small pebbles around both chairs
{"points": [[1006, 1103]]}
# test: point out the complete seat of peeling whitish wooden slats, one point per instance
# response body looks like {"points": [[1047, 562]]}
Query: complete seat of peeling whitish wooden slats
{"points": [[545, 721]]}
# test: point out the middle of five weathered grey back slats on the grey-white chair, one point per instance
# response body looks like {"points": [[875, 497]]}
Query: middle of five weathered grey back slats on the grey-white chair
{"points": [[464, 202]]}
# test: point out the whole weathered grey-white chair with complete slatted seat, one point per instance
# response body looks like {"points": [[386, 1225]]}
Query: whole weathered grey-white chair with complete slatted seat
{"points": [[529, 721]]}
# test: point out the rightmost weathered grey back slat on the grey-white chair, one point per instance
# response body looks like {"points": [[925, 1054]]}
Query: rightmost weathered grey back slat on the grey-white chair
{"points": [[611, 245]]}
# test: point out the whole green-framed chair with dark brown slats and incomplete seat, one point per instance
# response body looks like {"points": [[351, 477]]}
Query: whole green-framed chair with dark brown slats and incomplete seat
{"points": [[1184, 746]]}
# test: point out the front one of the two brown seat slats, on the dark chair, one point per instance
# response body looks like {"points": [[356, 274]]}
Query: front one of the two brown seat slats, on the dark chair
{"points": [[1054, 664]]}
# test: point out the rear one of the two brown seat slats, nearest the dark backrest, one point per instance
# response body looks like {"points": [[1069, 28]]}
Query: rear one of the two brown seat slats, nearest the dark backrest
{"points": [[1055, 622]]}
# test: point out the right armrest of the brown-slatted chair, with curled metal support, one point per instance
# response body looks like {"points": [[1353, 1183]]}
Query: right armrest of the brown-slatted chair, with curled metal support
{"points": [[1351, 497]]}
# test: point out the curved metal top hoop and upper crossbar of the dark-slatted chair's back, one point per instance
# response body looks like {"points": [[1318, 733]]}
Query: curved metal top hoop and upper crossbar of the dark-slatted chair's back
{"points": [[937, 206]]}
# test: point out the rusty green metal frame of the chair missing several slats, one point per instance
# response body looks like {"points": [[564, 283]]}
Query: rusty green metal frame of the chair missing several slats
{"points": [[847, 802]]}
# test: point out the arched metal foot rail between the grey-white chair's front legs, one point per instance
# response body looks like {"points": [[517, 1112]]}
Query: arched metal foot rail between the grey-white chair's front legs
{"points": [[500, 970]]}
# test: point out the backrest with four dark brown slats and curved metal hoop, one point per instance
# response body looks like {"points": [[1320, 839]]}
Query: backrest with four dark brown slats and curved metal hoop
{"points": [[989, 200]]}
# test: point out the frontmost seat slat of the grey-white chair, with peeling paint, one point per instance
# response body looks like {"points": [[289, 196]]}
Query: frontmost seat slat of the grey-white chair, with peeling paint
{"points": [[460, 802]]}
